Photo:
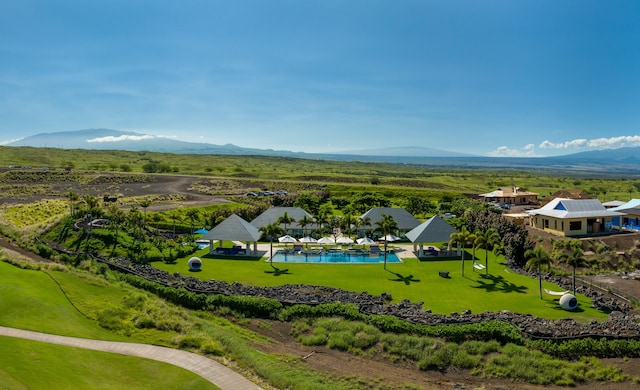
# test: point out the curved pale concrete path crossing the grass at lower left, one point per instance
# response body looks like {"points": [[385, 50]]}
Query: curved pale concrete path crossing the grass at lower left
{"points": [[214, 372]]}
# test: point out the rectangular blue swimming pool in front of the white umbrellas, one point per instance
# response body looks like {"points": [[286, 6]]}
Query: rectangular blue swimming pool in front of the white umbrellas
{"points": [[334, 257]]}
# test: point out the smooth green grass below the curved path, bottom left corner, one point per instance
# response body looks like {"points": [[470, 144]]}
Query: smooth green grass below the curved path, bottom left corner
{"points": [[28, 364]]}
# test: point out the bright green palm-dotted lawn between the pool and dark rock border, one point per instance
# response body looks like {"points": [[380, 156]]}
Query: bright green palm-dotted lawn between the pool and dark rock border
{"points": [[417, 281]]}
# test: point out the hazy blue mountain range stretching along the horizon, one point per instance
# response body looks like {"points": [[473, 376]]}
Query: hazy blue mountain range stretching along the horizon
{"points": [[624, 162]]}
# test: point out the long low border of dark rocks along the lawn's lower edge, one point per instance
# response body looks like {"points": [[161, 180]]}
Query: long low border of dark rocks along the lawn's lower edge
{"points": [[620, 323]]}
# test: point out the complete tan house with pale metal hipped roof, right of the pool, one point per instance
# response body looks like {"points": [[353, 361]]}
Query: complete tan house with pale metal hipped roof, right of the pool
{"points": [[573, 217]]}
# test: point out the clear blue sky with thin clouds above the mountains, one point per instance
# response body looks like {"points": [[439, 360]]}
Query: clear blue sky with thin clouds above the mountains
{"points": [[495, 78]]}
